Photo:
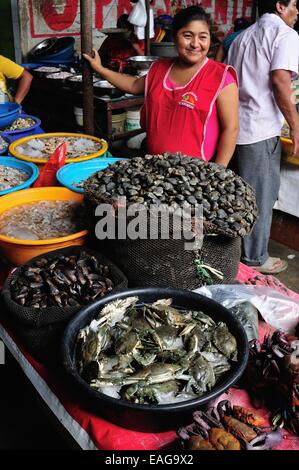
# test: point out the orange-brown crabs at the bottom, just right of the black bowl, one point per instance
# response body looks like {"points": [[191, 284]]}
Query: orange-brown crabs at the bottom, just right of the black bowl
{"points": [[228, 427]]}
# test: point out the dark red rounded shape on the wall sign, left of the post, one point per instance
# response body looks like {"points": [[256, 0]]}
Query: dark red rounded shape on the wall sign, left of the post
{"points": [[59, 21]]}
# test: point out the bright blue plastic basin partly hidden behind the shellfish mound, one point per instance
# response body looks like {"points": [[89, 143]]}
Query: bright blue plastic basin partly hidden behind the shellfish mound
{"points": [[74, 173]]}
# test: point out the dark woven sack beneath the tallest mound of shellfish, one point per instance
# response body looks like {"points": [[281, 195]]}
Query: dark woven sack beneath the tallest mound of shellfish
{"points": [[165, 262]]}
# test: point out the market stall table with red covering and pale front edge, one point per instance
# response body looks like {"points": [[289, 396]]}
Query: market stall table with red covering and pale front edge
{"points": [[92, 432]]}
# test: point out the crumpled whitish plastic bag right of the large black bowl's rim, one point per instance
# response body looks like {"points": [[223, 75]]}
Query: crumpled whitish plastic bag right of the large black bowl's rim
{"points": [[277, 310]]}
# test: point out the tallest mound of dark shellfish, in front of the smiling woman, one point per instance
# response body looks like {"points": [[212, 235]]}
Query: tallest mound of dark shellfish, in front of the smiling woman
{"points": [[228, 202]]}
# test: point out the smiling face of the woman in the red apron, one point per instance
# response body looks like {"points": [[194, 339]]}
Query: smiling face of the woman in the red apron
{"points": [[193, 42]]}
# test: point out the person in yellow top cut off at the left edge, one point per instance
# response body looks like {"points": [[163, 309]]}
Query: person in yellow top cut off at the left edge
{"points": [[11, 70]]}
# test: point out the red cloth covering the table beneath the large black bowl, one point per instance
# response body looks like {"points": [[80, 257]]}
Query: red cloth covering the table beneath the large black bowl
{"points": [[107, 436]]}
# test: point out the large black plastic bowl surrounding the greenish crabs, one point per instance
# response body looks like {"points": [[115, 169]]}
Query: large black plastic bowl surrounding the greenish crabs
{"points": [[151, 418]]}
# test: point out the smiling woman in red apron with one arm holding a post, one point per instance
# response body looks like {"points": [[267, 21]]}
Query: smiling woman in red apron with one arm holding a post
{"points": [[191, 102]]}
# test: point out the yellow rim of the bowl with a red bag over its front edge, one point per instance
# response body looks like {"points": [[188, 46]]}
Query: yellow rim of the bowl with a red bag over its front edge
{"points": [[16, 143]]}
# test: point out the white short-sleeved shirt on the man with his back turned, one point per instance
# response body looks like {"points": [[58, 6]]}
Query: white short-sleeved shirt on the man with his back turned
{"points": [[269, 44]]}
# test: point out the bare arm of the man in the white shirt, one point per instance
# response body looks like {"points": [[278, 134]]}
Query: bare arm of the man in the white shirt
{"points": [[281, 82]]}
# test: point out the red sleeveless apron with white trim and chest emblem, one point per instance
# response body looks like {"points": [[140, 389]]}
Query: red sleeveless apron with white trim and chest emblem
{"points": [[176, 120]]}
